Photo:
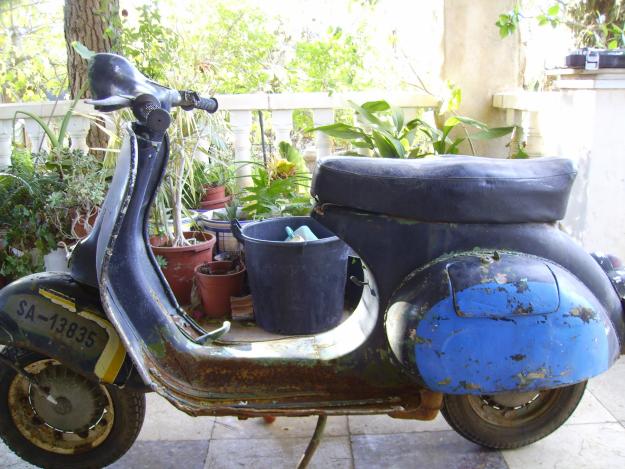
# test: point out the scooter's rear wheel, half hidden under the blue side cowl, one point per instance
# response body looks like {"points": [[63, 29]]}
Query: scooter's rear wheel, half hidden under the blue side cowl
{"points": [[511, 420]]}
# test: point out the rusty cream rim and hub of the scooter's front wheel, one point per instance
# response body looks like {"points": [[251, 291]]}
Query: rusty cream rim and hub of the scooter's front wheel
{"points": [[80, 420]]}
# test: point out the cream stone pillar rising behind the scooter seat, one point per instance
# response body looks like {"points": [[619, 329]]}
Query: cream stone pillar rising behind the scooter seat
{"points": [[481, 63]]}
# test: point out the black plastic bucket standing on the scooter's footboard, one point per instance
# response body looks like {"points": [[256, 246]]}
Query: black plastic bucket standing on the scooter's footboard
{"points": [[297, 287]]}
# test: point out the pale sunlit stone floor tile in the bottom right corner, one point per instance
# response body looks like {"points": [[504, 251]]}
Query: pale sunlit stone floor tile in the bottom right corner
{"points": [[592, 446]]}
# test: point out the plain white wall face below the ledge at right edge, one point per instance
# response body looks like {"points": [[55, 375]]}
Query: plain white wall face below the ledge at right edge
{"points": [[589, 127]]}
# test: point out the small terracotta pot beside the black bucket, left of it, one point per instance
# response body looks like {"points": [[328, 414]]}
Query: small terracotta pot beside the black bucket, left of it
{"points": [[216, 288]]}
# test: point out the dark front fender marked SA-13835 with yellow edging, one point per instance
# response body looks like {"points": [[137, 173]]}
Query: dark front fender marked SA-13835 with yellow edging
{"points": [[51, 314]]}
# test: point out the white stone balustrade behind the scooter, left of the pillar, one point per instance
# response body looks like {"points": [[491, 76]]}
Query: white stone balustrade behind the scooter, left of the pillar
{"points": [[241, 108]]}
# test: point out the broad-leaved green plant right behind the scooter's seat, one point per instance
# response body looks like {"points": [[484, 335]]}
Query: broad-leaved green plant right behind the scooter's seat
{"points": [[387, 134]]}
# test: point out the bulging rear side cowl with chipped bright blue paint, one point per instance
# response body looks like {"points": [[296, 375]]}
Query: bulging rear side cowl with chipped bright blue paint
{"points": [[488, 322]]}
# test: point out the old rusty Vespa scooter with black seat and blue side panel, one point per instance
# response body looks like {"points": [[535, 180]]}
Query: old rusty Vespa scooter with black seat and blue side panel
{"points": [[474, 303]]}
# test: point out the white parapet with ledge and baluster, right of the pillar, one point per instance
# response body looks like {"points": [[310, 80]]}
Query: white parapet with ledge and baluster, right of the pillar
{"points": [[581, 119]]}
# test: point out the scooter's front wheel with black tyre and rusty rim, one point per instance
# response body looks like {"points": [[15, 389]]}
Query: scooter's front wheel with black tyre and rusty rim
{"points": [[88, 426]]}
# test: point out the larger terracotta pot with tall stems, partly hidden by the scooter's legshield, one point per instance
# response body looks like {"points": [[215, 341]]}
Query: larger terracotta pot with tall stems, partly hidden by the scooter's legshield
{"points": [[181, 262]]}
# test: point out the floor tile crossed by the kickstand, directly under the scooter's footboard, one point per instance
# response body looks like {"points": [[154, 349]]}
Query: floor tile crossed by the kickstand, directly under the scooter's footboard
{"points": [[283, 427]]}
